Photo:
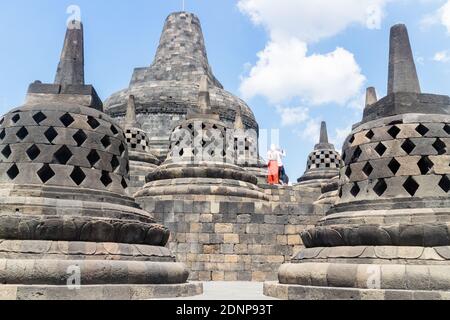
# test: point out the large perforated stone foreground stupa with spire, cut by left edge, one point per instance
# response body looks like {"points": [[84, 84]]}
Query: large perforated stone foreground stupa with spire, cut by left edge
{"points": [[65, 218]]}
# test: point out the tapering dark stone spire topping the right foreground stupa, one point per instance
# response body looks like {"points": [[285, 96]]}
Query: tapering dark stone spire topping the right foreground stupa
{"points": [[402, 69]]}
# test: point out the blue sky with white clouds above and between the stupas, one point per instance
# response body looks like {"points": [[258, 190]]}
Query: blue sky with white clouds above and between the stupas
{"points": [[296, 62]]}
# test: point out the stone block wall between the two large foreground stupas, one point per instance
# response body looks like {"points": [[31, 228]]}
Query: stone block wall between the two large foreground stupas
{"points": [[237, 239]]}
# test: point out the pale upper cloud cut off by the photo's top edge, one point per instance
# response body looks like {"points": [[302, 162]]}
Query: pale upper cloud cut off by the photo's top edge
{"points": [[312, 20]]}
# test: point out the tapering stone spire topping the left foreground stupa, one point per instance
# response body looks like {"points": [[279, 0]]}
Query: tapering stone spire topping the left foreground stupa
{"points": [[71, 66]]}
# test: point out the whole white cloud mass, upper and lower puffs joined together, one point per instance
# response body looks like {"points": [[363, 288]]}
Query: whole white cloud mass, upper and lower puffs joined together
{"points": [[286, 70]]}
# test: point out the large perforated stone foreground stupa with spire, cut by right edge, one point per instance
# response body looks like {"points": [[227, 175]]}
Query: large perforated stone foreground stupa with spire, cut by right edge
{"points": [[388, 236]]}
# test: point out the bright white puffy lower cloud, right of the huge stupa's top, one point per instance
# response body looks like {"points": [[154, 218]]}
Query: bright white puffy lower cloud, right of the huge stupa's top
{"points": [[285, 71]]}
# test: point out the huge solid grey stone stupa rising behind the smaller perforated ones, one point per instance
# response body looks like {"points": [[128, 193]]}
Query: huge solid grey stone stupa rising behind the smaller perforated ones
{"points": [[167, 91]]}
